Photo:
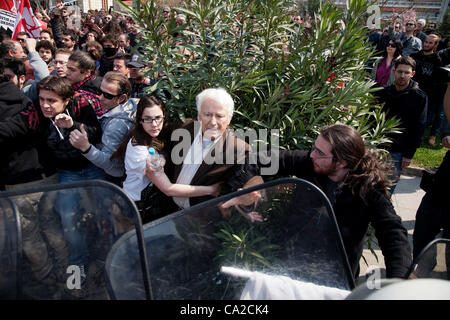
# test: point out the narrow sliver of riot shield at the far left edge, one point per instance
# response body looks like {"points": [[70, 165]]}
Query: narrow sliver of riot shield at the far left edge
{"points": [[10, 249]]}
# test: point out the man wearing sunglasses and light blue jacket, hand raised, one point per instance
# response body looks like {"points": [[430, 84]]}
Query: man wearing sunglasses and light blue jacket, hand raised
{"points": [[116, 122]]}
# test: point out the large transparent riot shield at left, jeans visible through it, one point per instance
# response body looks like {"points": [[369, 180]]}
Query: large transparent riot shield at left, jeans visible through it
{"points": [[65, 233]]}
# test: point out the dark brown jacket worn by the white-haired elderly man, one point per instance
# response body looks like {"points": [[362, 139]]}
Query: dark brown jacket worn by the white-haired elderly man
{"points": [[209, 174]]}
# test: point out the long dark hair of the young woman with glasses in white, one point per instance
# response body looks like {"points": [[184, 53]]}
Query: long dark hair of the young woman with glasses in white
{"points": [[138, 135]]}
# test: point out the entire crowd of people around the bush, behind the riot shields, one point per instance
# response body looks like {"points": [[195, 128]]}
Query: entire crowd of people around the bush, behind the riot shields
{"points": [[73, 107]]}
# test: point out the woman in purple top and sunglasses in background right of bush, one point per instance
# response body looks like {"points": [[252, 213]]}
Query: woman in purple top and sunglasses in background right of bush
{"points": [[383, 67]]}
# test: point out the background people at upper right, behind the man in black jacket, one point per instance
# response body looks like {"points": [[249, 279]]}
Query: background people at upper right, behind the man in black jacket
{"points": [[430, 52]]}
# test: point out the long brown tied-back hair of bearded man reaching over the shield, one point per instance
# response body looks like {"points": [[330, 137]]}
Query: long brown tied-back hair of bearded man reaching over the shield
{"points": [[366, 171]]}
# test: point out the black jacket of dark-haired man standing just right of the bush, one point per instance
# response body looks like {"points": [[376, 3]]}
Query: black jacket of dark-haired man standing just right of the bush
{"points": [[410, 107]]}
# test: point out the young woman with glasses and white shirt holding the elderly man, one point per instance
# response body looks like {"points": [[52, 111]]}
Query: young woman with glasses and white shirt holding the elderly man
{"points": [[151, 129]]}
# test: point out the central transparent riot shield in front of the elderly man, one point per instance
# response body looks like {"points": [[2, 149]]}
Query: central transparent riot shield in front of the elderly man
{"points": [[290, 230]]}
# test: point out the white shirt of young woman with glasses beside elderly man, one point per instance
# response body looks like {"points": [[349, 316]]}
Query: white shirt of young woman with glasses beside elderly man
{"points": [[135, 162]]}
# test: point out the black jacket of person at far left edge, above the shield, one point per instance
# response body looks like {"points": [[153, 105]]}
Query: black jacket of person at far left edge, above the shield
{"points": [[25, 155]]}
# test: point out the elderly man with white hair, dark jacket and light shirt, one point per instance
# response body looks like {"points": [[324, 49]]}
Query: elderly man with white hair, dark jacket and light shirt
{"points": [[206, 151]]}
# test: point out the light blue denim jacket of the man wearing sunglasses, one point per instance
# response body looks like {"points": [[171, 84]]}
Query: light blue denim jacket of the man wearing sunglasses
{"points": [[116, 123]]}
